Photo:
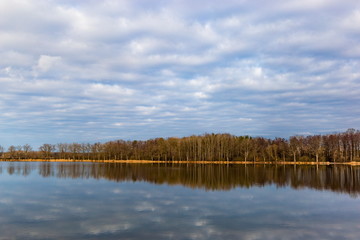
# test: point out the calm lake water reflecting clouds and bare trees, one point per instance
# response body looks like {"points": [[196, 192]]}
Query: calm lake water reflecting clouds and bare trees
{"points": [[136, 201]]}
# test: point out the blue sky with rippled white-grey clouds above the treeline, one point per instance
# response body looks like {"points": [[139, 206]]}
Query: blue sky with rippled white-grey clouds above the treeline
{"points": [[95, 71]]}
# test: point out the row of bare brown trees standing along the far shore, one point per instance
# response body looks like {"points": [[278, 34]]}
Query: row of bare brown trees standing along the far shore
{"points": [[339, 147]]}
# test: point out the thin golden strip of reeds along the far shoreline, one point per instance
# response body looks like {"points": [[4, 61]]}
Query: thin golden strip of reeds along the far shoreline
{"points": [[184, 162]]}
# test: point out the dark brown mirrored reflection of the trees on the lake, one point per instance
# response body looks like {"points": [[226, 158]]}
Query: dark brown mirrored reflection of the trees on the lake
{"points": [[338, 178]]}
